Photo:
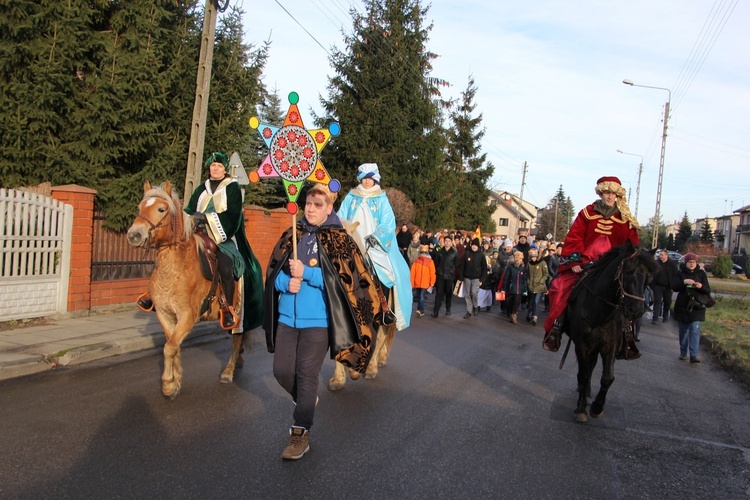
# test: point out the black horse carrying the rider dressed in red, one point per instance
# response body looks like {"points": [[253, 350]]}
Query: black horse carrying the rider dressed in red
{"points": [[608, 296]]}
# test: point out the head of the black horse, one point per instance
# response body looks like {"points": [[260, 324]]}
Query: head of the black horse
{"points": [[637, 269]]}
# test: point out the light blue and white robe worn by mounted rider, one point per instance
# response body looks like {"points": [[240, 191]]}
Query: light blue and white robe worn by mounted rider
{"points": [[372, 209]]}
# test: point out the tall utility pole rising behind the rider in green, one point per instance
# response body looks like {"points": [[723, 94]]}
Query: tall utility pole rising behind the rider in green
{"points": [[200, 108]]}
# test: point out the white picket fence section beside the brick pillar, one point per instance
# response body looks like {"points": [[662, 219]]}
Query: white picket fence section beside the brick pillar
{"points": [[35, 242]]}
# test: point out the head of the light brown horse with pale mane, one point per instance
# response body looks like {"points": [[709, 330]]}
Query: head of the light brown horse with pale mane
{"points": [[159, 222]]}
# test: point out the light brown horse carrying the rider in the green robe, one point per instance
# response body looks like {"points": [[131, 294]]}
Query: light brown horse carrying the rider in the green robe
{"points": [[177, 285]]}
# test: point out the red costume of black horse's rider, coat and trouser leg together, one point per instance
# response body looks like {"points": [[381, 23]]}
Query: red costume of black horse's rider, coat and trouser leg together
{"points": [[590, 236]]}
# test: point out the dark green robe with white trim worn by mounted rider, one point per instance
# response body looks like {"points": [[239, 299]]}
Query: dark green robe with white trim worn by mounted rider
{"points": [[226, 226]]}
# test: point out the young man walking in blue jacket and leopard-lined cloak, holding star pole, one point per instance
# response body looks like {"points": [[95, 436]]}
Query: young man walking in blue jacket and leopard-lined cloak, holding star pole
{"points": [[324, 298]]}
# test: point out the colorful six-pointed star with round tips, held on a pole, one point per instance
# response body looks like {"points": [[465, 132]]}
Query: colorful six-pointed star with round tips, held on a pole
{"points": [[294, 153]]}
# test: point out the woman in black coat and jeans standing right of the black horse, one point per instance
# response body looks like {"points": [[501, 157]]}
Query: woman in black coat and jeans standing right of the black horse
{"points": [[691, 284]]}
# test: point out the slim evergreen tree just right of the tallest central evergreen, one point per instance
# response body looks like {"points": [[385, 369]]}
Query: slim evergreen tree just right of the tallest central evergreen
{"points": [[469, 193]]}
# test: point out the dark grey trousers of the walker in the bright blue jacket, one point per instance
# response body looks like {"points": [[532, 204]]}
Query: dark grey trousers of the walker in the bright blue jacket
{"points": [[297, 360]]}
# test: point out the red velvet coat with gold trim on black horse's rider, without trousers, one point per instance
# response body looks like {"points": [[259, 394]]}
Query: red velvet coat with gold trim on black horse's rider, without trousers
{"points": [[592, 235]]}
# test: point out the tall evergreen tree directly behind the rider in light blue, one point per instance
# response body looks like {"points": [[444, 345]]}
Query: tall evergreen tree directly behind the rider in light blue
{"points": [[385, 100]]}
